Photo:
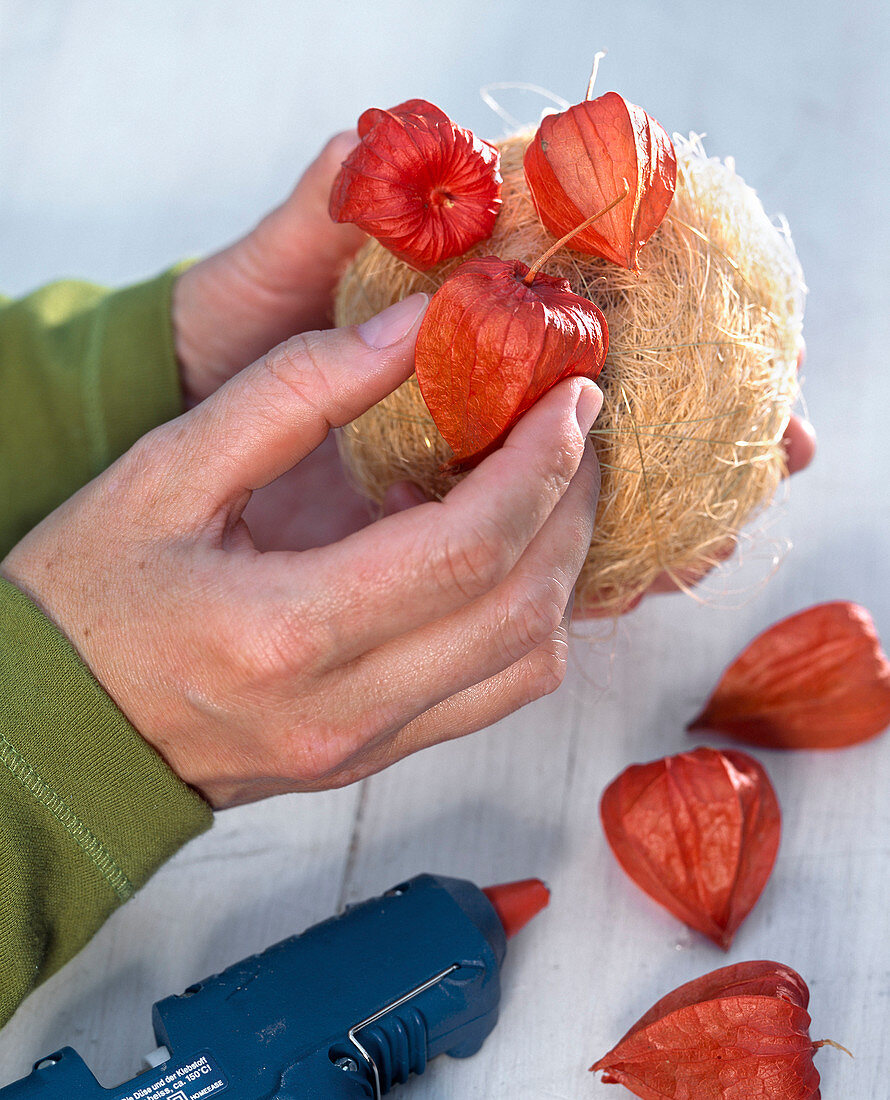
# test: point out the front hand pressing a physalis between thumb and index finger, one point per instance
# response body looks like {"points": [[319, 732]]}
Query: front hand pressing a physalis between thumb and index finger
{"points": [[257, 674]]}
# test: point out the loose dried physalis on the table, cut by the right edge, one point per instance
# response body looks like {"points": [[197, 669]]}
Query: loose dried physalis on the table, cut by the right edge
{"points": [[818, 680]]}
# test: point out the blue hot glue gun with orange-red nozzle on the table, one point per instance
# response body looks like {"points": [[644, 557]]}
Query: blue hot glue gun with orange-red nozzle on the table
{"points": [[345, 1011]]}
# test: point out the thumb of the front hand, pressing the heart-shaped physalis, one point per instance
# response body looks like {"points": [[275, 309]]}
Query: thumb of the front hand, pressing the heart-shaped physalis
{"points": [[272, 415]]}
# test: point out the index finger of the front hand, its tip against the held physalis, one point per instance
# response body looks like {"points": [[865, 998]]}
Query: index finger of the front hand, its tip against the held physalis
{"points": [[433, 559]]}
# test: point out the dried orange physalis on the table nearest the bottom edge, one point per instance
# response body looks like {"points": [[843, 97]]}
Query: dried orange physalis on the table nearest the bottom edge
{"points": [[741, 1032]]}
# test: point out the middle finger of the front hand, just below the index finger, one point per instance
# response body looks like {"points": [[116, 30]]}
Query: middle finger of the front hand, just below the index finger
{"points": [[413, 673]]}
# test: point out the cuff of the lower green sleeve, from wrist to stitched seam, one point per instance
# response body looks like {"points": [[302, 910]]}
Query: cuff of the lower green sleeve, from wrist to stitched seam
{"points": [[102, 788]]}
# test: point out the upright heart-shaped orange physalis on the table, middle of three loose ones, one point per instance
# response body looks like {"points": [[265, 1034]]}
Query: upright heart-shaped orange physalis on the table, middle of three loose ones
{"points": [[699, 833]]}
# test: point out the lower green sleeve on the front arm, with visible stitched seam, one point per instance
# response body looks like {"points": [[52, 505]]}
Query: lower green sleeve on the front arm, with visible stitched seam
{"points": [[87, 810]]}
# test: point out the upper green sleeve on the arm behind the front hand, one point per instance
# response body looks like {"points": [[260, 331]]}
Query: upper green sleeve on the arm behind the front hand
{"points": [[84, 372]]}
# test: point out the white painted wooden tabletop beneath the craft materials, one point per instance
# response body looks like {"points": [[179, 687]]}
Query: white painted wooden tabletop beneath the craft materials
{"points": [[135, 134]]}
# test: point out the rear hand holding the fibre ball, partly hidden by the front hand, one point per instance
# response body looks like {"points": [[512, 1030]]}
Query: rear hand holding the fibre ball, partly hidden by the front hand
{"points": [[232, 307]]}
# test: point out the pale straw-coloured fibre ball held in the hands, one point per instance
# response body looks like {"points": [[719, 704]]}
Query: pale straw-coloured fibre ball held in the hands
{"points": [[699, 383]]}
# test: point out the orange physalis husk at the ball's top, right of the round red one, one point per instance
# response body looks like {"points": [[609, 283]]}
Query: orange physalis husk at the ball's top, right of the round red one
{"points": [[581, 160]]}
